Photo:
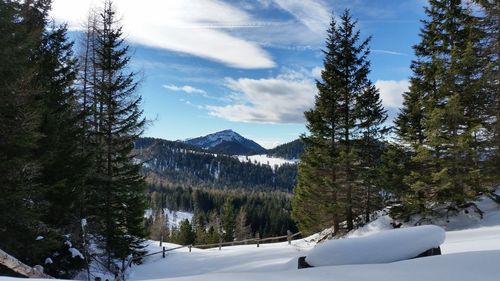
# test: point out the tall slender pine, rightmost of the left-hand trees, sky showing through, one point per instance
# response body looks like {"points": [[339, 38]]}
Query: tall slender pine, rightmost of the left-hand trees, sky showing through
{"points": [[117, 201]]}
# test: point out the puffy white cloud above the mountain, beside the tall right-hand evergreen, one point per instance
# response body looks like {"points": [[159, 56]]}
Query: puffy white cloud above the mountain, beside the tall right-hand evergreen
{"points": [[282, 99]]}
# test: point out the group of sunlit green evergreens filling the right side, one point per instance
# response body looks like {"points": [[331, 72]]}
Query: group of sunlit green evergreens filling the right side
{"points": [[444, 147]]}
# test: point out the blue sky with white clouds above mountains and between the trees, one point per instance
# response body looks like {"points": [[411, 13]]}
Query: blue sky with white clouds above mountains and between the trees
{"points": [[248, 65]]}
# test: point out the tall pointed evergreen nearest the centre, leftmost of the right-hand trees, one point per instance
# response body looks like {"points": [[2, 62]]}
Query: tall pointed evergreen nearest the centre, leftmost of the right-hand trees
{"points": [[347, 111]]}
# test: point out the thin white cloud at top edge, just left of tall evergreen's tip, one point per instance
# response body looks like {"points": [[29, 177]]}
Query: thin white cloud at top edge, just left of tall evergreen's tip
{"points": [[313, 14]]}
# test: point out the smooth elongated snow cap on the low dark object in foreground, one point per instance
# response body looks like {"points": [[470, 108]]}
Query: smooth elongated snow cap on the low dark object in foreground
{"points": [[383, 247]]}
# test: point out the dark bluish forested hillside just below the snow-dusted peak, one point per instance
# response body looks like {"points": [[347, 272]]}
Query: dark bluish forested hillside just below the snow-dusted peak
{"points": [[178, 162]]}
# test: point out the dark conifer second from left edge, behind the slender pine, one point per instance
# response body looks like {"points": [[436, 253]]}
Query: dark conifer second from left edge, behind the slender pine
{"points": [[64, 167]]}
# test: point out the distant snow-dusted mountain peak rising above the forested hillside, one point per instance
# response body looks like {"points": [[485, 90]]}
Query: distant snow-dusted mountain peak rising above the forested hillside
{"points": [[227, 142]]}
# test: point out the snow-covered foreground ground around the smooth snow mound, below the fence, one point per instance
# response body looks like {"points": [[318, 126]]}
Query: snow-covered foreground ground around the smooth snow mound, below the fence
{"points": [[471, 251]]}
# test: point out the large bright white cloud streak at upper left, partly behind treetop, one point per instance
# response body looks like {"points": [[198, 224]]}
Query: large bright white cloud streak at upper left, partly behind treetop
{"points": [[197, 27]]}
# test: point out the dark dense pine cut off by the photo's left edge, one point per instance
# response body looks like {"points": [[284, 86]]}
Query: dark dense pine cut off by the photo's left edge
{"points": [[21, 27]]}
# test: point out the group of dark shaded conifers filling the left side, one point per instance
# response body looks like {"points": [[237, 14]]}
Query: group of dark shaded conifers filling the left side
{"points": [[67, 126]]}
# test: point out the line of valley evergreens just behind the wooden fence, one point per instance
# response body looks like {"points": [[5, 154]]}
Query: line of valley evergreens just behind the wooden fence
{"points": [[230, 215]]}
